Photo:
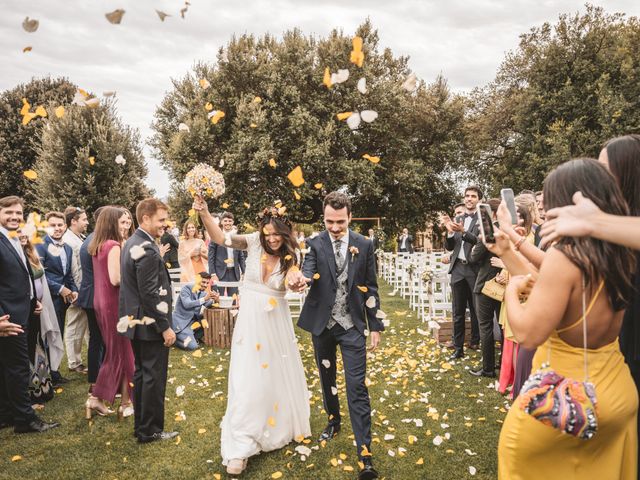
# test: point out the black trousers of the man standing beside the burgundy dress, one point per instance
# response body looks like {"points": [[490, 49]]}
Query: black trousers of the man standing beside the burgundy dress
{"points": [[150, 382]]}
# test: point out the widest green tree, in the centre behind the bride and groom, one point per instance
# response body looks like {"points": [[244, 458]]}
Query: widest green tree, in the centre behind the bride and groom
{"points": [[293, 121]]}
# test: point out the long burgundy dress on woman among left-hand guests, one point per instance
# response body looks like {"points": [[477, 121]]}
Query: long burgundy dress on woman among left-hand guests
{"points": [[118, 363]]}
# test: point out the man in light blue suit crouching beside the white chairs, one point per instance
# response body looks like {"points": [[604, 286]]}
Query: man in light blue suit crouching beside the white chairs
{"points": [[188, 309]]}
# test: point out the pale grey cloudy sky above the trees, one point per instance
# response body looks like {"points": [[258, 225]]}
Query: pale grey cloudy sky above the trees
{"points": [[463, 40]]}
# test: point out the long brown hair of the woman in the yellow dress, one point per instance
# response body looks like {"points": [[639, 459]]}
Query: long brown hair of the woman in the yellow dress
{"points": [[596, 259]]}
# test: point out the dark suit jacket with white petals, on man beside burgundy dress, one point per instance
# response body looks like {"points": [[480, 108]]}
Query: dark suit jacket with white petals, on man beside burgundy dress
{"points": [[145, 287]]}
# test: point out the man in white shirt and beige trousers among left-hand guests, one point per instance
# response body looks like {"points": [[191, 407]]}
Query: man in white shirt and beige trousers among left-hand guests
{"points": [[76, 321]]}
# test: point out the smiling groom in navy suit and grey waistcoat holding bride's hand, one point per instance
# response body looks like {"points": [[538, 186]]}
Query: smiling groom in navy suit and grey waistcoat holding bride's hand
{"points": [[340, 309]]}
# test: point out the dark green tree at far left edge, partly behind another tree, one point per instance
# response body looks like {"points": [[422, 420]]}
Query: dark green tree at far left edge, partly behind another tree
{"points": [[18, 142]]}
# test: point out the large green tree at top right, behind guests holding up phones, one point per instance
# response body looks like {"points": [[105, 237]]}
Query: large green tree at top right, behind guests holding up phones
{"points": [[566, 89]]}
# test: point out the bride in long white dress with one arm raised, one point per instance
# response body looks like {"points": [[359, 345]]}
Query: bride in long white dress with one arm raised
{"points": [[268, 400]]}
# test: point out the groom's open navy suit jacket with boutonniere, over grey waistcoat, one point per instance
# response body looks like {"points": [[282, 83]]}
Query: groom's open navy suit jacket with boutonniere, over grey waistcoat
{"points": [[320, 259]]}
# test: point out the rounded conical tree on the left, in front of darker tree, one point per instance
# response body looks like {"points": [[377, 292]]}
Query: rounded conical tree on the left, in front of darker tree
{"points": [[76, 161]]}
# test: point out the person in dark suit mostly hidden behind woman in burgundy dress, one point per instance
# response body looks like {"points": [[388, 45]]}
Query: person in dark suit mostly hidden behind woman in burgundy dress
{"points": [[95, 352]]}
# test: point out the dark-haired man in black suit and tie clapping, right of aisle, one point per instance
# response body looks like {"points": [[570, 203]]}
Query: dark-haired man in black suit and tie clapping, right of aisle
{"points": [[461, 237]]}
